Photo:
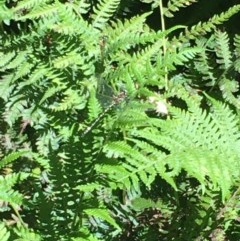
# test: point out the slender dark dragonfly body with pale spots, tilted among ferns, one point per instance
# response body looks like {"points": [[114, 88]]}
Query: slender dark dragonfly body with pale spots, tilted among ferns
{"points": [[116, 99]]}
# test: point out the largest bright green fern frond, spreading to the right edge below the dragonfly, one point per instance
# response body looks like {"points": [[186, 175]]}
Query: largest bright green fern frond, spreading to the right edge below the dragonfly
{"points": [[196, 141]]}
